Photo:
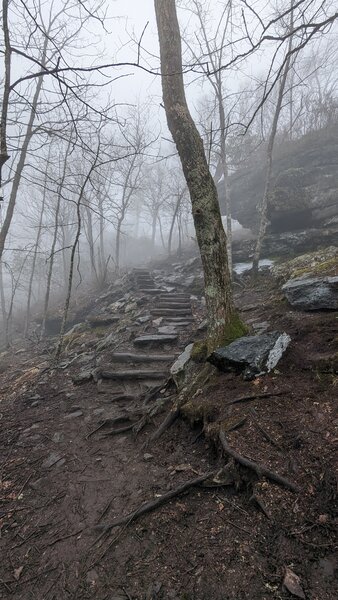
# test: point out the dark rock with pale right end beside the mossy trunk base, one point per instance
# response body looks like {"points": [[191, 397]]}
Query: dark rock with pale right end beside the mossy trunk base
{"points": [[251, 355]]}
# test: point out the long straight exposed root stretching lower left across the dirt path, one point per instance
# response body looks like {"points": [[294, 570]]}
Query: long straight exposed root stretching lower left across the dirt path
{"points": [[153, 504]]}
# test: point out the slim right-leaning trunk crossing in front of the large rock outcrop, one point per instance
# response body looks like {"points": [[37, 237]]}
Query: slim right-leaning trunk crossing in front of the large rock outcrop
{"points": [[267, 188]]}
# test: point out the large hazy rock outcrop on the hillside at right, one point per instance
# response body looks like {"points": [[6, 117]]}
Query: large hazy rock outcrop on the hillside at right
{"points": [[304, 185]]}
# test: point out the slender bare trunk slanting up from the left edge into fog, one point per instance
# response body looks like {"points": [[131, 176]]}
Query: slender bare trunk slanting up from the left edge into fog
{"points": [[22, 157]]}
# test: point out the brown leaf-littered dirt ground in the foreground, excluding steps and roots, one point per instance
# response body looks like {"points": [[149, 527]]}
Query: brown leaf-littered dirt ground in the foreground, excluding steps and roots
{"points": [[211, 543]]}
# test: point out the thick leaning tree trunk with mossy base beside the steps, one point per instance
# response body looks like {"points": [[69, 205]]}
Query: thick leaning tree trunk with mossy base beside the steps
{"points": [[223, 323]]}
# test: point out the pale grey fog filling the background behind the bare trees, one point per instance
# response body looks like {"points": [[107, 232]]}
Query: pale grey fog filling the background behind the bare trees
{"points": [[93, 182]]}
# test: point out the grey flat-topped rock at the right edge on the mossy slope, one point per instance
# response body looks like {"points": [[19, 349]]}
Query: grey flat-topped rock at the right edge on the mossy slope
{"points": [[318, 293]]}
